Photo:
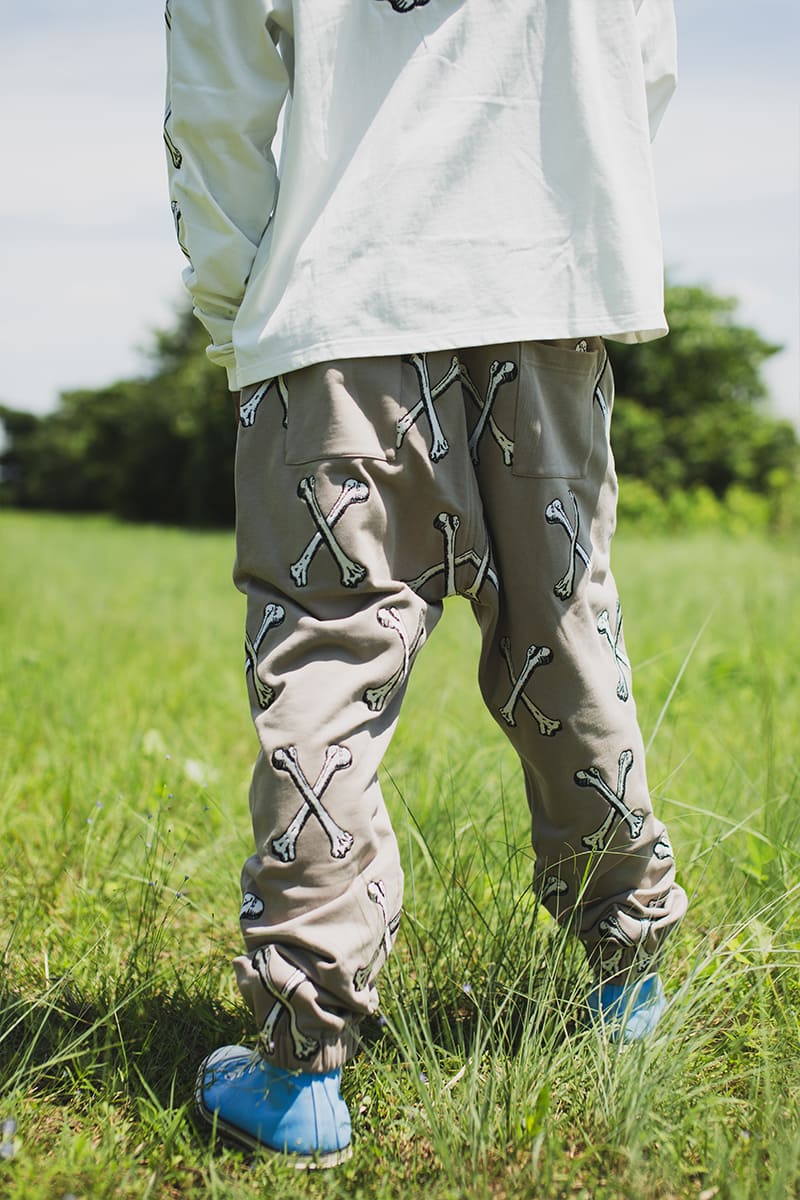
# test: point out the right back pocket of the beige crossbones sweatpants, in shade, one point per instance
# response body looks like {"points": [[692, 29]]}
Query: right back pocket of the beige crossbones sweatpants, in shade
{"points": [[555, 422]]}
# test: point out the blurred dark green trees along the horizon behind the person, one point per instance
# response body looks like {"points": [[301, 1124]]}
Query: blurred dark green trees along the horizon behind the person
{"points": [[690, 415]]}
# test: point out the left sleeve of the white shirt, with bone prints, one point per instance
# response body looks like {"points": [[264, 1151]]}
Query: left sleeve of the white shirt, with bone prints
{"points": [[226, 87]]}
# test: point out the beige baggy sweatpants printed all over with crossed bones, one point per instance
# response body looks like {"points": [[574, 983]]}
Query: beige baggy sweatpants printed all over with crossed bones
{"points": [[368, 491]]}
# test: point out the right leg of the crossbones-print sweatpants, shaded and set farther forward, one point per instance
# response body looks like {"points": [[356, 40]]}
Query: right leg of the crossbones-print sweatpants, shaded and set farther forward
{"points": [[554, 669]]}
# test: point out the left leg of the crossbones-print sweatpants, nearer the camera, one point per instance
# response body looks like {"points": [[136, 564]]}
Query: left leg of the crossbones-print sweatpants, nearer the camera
{"points": [[341, 551]]}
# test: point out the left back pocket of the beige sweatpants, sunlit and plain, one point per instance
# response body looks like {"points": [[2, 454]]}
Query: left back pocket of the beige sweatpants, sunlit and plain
{"points": [[344, 410]]}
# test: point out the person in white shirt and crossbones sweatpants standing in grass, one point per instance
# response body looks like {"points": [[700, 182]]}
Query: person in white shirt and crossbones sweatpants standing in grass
{"points": [[414, 309]]}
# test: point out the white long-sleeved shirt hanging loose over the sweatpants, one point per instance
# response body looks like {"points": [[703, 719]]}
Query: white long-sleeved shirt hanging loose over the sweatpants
{"points": [[453, 173]]}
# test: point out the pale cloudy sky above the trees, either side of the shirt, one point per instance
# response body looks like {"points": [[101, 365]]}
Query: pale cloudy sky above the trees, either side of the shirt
{"points": [[88, 257]]}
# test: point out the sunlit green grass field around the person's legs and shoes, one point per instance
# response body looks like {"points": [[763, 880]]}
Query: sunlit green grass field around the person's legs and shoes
{"points": [[127, 754]]}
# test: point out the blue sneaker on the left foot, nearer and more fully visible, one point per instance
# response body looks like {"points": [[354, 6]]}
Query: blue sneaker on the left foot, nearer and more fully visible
{"points": [[261, 1106]]}
